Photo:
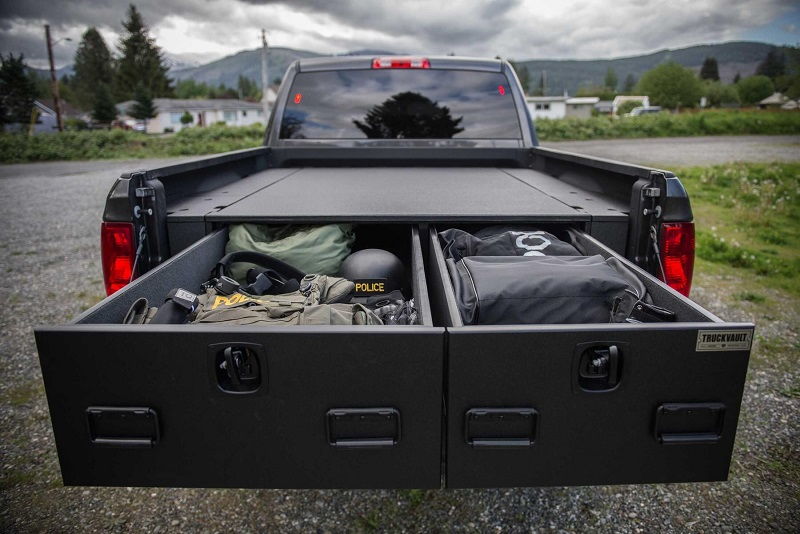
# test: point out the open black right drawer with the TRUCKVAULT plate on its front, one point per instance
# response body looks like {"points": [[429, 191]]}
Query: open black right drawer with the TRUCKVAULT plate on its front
{"points": [[520, 412]]}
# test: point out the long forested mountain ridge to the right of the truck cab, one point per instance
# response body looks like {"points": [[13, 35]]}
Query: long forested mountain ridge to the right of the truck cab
{"points": [[570, 75]]}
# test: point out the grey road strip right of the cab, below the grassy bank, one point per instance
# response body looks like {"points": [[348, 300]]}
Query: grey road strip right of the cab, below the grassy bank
{"points": [[688, 151]]}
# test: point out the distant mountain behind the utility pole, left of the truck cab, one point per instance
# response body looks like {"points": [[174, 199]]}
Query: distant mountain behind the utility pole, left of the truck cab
{"points": [[246, 63]]}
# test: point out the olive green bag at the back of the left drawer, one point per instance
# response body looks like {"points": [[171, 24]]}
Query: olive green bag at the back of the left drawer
{"points": [[311, 249]]}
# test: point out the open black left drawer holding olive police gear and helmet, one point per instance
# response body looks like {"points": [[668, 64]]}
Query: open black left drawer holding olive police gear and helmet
{"points": [[337, 406]]}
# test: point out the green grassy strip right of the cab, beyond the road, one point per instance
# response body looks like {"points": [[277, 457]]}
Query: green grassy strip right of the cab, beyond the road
{"points": [[712, 122]]}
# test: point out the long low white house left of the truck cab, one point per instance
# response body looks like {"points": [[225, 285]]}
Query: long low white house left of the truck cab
{"points": [[204, 112]]}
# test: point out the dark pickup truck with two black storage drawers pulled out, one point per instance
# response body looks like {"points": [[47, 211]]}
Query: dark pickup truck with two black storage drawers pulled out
{"points": [[403, 148]]}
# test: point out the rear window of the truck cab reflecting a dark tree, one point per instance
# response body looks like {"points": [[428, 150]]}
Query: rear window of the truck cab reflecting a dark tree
{"points": [[400, 104]]}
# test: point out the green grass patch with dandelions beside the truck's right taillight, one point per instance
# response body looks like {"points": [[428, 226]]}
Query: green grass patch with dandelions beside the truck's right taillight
{"points": [[748, 218]]}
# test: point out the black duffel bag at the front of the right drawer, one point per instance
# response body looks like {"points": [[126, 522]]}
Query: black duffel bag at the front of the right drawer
{"points": [[493, 290]]}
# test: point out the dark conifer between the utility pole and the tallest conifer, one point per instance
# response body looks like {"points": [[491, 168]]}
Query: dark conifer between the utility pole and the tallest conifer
{"points": [[93, 69]]}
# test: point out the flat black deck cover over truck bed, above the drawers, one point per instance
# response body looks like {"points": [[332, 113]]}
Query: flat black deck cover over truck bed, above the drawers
{"points": [[390, 194]]}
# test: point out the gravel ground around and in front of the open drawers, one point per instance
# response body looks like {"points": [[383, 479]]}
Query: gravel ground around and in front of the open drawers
{"points": [[50, 215]]}
